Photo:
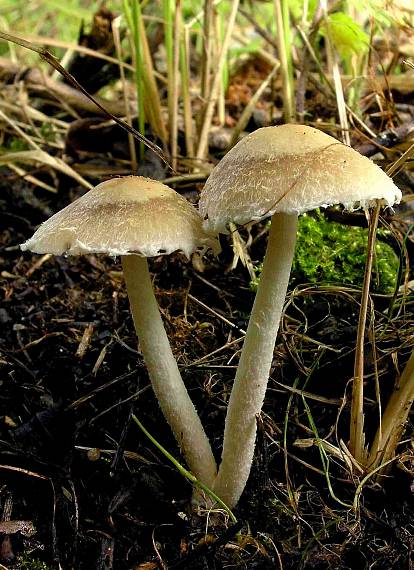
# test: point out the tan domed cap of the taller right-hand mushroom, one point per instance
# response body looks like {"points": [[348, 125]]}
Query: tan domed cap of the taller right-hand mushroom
{"points": [[290, 169]]}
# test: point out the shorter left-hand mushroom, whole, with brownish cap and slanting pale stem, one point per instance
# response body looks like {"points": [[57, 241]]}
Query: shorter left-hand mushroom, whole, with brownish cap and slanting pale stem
{"points": [[137, 217]]}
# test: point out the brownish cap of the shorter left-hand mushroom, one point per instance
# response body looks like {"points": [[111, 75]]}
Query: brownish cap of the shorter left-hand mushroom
{"points": [[128, 215]]}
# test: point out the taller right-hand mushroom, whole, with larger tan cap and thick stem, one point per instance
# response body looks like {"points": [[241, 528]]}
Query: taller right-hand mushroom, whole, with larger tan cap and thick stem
{"points": [[279, 172]]}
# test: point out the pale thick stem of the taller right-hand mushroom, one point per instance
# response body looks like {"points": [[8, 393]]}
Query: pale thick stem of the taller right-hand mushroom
{"points": [[250, 384]]}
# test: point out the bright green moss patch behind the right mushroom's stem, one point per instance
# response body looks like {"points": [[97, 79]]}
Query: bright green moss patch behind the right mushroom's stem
{"points": [[333, 253]]}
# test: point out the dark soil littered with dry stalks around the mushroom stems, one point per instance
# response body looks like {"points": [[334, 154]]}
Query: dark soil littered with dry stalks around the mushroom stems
{"points": [[97, 491]]}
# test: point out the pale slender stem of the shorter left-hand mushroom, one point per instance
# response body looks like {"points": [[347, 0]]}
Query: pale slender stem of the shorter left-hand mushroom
{"points": [[169, 388]]}
